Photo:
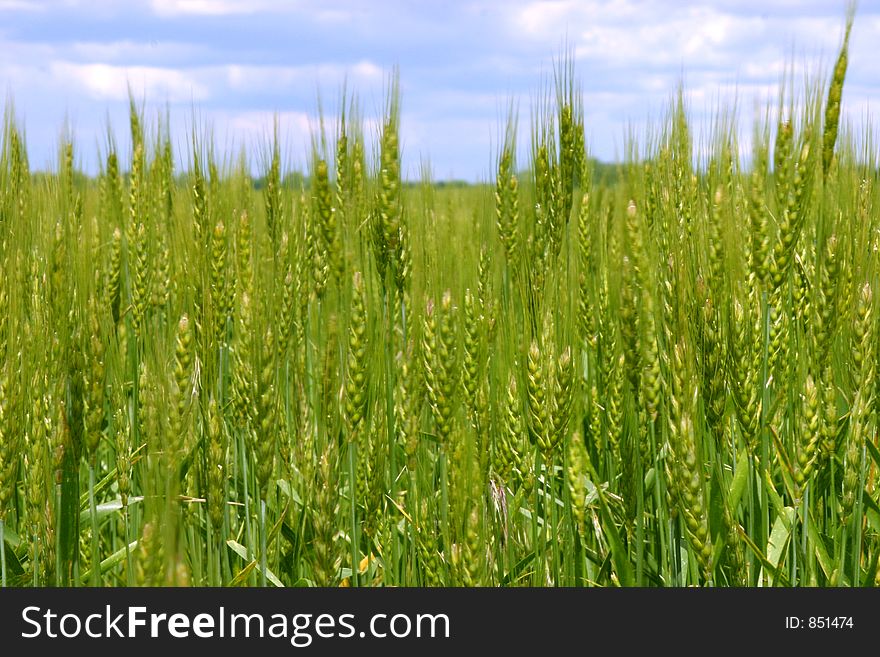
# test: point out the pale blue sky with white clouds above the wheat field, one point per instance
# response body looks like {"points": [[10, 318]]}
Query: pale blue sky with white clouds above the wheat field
{"points": [[233, 65]]}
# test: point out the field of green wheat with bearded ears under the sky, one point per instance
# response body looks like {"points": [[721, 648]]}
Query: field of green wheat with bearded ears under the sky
{"points": [[657, 373]]}
